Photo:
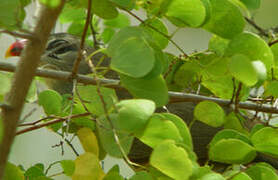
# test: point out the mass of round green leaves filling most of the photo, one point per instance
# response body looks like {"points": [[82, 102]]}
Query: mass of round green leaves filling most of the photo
{"points": [[235, 64]]}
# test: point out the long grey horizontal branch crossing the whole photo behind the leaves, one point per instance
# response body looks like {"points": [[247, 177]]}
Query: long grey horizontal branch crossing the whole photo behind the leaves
{"points": [[115, 84]]}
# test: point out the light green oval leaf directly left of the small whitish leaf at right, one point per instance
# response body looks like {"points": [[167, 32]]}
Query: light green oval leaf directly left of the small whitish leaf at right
{"points": [[243, 70]]}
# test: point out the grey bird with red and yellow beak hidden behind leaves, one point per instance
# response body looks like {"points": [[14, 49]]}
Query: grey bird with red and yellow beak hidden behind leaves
{"points": [[61, 52]]}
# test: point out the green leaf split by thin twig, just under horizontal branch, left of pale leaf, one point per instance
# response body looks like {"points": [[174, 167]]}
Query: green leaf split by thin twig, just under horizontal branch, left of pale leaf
{"points": [[92, 100]]}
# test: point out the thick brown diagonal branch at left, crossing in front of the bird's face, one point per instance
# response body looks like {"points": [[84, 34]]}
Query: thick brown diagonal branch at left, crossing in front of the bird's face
{"points": [[23, 78]]}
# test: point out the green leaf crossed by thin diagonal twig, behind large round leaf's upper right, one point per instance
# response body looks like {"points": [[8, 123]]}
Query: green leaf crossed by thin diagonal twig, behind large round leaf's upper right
{"points": [[161, 40]]}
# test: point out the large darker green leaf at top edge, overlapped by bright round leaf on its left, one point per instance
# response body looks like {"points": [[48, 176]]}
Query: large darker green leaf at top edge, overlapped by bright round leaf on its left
{"points": [[226, 19]]}
